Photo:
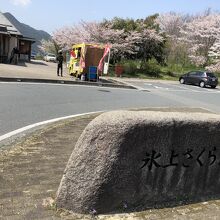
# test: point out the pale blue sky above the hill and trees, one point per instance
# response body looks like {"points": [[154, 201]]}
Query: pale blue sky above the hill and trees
{"points": [[49, 15]]}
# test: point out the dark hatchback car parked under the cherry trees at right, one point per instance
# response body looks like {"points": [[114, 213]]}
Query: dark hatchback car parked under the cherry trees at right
{"points": [[200, 78]]}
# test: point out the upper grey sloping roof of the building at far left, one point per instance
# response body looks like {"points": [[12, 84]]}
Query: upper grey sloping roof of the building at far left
{"points": [[5, 23]]}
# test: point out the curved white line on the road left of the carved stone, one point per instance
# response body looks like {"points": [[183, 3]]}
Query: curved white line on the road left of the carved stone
{"points": [[20, 130]]}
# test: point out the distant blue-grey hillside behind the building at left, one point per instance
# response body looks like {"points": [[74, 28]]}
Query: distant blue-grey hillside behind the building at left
{"points": [[28, 31]]}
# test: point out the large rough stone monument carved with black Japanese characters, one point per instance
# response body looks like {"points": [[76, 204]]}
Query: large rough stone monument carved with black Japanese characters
{"points": [[127, 160]]}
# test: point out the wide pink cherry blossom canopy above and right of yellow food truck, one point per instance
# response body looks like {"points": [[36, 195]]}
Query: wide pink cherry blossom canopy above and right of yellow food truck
{"points": [[123, 43]]}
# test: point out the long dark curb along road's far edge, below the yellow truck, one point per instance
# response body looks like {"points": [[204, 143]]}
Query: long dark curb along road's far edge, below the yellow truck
{"points": [[55, 81]]}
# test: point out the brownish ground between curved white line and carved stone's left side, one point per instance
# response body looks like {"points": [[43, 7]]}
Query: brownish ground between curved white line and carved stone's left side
{"points": [[30, 171]]}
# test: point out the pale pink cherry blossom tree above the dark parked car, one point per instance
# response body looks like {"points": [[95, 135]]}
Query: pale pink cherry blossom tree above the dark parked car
{"points": [[198, 35]]}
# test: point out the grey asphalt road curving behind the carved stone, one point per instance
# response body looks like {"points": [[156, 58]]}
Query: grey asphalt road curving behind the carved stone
{"points": [[23, 104]]}
